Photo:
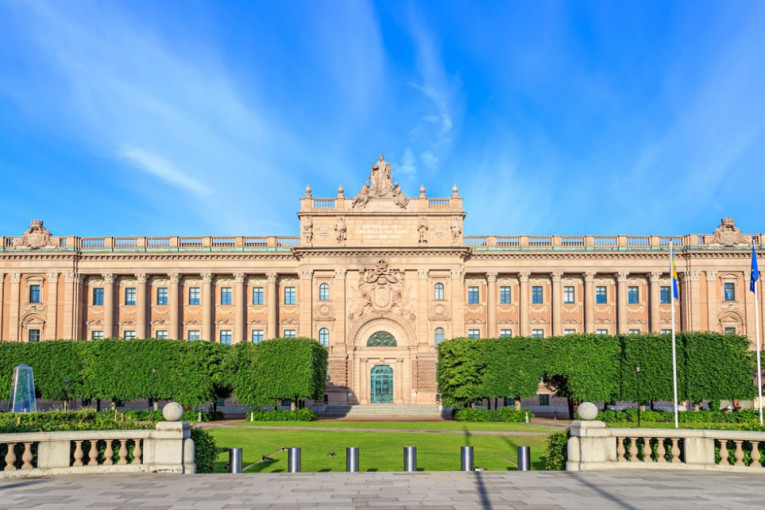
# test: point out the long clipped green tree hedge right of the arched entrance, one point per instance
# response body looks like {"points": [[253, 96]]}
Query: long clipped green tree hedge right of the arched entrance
{"points": [[598, 368]]}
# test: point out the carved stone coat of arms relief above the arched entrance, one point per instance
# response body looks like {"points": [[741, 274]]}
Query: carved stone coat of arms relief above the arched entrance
{"points": [[380, 291]]}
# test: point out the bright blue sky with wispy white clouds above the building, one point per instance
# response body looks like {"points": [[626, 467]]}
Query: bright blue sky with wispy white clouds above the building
{"points": [[200, 118]]}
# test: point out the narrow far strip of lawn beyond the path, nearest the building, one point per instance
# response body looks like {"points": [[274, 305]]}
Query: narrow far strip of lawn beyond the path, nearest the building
{"points": [[419, 425]]}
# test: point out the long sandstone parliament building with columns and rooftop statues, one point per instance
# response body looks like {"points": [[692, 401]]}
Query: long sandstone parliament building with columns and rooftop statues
{"points": [[379, 278]]}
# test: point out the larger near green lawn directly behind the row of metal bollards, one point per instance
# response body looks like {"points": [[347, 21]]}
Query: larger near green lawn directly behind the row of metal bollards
{"points": [[377, 452]]}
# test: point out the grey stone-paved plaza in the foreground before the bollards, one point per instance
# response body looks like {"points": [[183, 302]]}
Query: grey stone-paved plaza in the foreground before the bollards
{"points": [[443, 490]]}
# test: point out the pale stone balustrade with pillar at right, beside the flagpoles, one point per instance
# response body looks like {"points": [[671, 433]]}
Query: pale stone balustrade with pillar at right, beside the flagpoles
{"points": [[594, 446]]}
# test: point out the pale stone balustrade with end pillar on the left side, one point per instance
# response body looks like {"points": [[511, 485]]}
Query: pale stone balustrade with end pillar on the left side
{"points": [[166, 449]]}
